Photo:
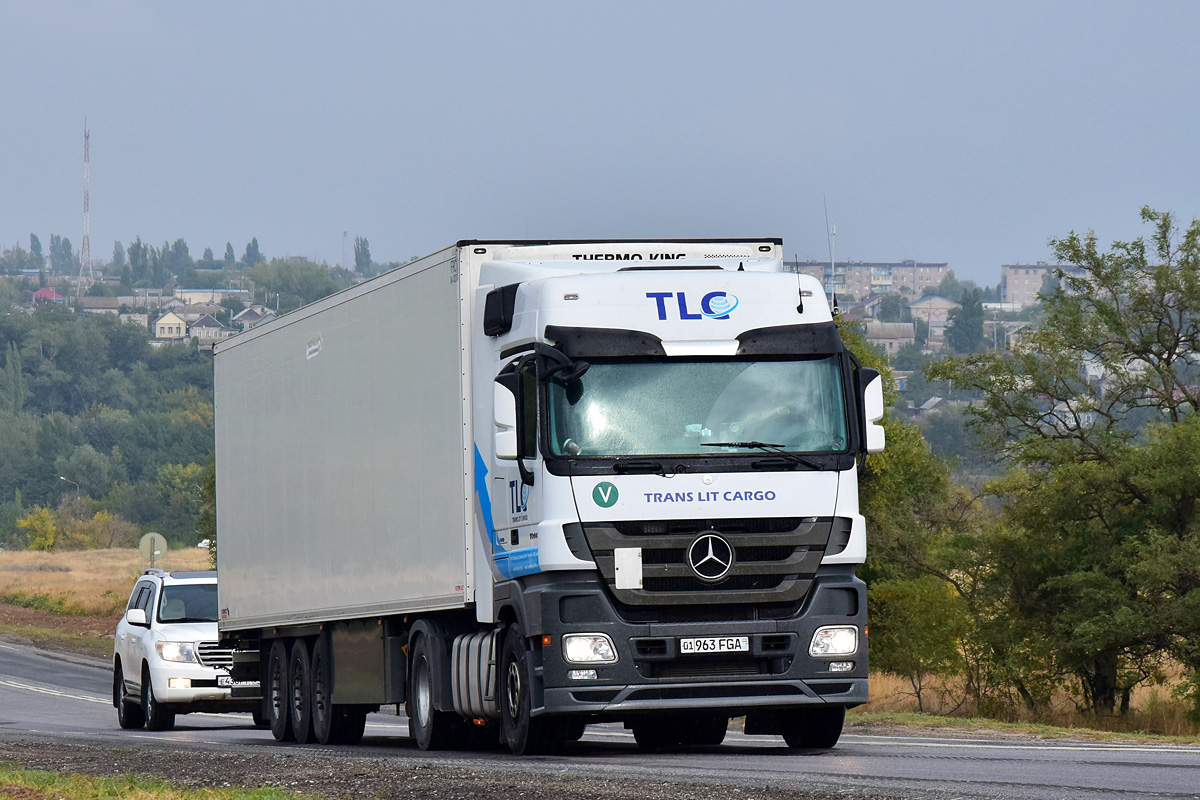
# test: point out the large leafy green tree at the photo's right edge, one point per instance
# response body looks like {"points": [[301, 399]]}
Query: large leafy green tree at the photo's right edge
{"points": [[1096, 412]]}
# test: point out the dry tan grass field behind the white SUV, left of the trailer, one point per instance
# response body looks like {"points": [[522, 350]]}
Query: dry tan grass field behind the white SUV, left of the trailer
{"points": [[91, 582]]}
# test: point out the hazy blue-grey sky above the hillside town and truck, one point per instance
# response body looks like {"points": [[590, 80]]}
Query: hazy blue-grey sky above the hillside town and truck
{"points": [[962, 133]]}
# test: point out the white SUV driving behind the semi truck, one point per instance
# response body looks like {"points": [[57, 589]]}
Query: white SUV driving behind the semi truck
{"points": [[167, 658]]}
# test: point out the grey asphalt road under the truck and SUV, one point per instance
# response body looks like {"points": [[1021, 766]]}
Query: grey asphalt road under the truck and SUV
{"points": [[50, 697]]}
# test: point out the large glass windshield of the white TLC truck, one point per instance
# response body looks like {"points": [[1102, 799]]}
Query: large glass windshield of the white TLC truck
{"points": [[664, 408]]}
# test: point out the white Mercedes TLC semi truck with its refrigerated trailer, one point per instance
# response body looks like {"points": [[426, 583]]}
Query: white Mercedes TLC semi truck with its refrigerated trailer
{"points": [[521, 488]]}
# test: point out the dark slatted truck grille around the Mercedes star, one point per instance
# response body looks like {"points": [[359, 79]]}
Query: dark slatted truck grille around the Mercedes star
{"points": [[775, 560]]}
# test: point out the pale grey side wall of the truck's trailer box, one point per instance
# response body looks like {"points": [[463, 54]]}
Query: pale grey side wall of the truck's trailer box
{"points": [[343, 437]]}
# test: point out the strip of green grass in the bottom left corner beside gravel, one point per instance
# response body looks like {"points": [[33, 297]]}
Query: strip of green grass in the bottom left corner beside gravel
{"points": [[39, 785]]}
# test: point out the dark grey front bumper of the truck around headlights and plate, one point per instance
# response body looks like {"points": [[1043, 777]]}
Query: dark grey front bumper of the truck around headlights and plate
{"points": [[652, 676]]}
